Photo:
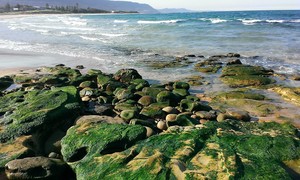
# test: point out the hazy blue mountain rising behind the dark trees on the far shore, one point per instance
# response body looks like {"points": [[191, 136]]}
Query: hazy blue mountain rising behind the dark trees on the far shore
{"points": [[98, 4]]}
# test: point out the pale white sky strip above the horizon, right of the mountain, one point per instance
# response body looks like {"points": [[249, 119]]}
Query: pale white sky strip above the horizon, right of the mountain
{"points": [[224, 4]]}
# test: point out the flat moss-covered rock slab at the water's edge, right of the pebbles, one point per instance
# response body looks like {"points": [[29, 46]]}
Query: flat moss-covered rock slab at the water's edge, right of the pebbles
{"points": [[245, 75]]}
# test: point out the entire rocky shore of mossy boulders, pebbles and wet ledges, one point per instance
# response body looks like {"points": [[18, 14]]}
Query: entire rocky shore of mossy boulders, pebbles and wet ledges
{"points": [[59, 123]]}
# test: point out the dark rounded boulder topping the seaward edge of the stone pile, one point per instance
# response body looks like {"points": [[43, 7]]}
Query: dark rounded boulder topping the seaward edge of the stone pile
{"points": [[126, 75]]}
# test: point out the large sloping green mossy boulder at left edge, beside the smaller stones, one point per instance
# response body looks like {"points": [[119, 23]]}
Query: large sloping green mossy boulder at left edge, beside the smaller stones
{"points": [[27, 112]]}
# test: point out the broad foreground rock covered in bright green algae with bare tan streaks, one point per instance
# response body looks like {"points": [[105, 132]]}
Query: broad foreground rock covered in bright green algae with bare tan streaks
{"points": [[224, 150]]}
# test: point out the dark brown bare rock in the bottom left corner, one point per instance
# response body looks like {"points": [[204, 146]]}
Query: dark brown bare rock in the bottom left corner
{"points": [[36, 168]]}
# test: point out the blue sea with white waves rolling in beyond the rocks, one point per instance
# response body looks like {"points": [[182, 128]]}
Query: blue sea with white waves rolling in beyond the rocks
{"points": [[113, 41]]}
